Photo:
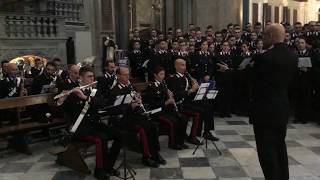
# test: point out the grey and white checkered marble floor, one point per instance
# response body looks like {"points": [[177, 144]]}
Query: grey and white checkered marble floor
{"points": [[238, 162]]}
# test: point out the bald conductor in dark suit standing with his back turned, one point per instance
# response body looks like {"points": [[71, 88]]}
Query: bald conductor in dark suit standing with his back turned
{"points": [[273, 71]]}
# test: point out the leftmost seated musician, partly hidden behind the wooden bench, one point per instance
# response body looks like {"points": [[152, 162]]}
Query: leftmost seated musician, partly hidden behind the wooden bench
{"points": [[10, 86]]}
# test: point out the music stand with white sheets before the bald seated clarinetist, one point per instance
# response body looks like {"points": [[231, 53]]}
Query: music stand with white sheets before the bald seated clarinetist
{"points": [[205, 94]]}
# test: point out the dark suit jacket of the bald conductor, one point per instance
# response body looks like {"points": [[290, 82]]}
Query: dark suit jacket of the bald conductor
{"points": [[273, 72]]}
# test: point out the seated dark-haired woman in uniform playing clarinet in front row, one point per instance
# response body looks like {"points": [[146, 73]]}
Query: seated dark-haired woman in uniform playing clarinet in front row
{"points": [[158, 95]]}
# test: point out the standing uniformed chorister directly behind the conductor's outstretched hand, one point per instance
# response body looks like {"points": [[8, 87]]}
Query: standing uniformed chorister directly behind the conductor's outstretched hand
{"points": [[225, 80]]}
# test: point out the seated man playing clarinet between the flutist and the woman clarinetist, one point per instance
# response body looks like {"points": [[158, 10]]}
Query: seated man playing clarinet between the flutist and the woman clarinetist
{"points": [[135, 120]]}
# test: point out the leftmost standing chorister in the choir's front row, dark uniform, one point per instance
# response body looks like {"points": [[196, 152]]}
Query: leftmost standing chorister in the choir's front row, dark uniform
{"points": [[137, 58]]}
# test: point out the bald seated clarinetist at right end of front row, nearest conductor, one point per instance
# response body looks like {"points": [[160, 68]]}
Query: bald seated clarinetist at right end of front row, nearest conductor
{"points": [[184, 88]]}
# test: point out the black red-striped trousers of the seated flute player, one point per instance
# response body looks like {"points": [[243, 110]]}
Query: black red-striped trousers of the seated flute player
{"points": [[104, 133]]}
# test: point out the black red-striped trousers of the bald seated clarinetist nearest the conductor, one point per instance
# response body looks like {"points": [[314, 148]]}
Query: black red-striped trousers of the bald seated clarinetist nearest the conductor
{"points": [[204, 110]]}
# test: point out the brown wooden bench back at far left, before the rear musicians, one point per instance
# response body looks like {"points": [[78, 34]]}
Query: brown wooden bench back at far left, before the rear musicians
{"points": [[15, 102]]}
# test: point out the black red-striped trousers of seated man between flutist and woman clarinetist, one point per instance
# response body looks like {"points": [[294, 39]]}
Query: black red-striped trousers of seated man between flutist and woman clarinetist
{"points": [[136, 121]]}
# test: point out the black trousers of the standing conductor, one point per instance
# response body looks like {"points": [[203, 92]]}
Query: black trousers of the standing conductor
{"points": [[272, 151]]}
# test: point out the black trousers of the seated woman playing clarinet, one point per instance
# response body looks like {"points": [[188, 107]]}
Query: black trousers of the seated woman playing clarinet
{"points": [[177, 125]]}
